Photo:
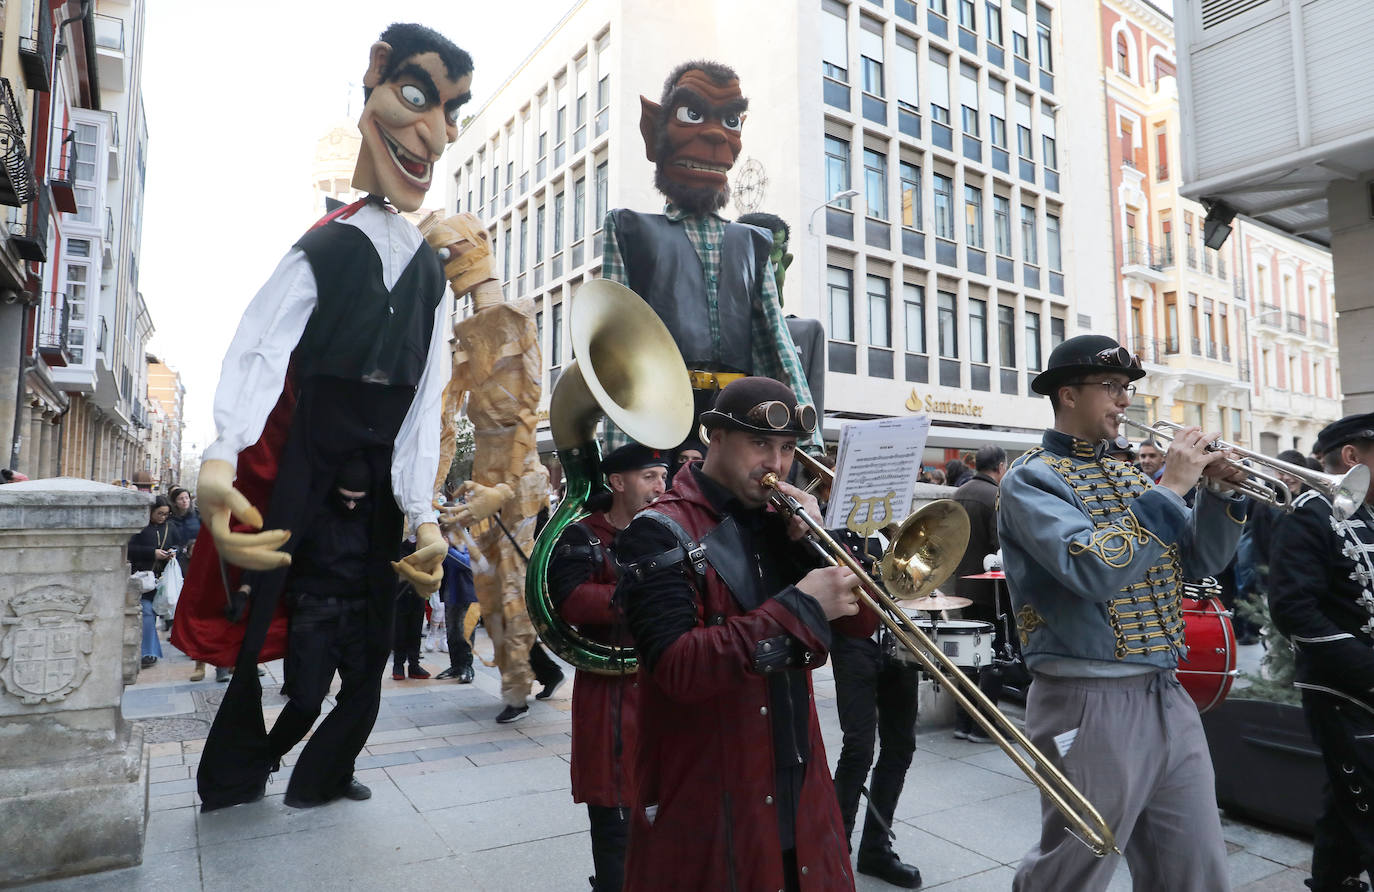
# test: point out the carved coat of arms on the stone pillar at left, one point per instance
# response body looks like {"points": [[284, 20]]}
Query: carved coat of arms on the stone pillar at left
{"points": [[46, 644]]}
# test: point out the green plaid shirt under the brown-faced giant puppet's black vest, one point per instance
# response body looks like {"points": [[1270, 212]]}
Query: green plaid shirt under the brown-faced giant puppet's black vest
{"points": [[774, 354]]}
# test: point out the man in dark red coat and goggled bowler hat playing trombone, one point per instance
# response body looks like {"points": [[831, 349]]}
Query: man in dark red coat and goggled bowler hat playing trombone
{"points": [[730, 616]]}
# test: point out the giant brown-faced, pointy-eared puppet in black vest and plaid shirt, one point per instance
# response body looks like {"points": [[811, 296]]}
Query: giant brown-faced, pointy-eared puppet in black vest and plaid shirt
{"points": [[710, 281]]}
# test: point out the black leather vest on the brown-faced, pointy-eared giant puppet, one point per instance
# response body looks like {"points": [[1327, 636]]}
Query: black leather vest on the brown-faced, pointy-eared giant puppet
{"points": [[663, 267]]}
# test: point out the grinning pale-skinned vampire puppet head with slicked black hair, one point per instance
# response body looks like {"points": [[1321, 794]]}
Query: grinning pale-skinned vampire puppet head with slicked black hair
{"points": [[414, 87]]}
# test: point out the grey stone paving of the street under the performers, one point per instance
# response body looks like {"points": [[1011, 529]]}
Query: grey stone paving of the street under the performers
{"points": [[471, 805]]}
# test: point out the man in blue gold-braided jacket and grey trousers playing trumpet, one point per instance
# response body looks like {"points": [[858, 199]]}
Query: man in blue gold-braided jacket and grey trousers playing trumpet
{"points": [[1094, 557]]}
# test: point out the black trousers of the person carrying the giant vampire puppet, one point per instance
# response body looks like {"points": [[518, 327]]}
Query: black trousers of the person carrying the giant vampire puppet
{"points": [[328, 636]]}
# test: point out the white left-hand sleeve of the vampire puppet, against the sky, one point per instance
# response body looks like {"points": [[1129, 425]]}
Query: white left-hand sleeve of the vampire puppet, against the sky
{"points": [[255, 366]]}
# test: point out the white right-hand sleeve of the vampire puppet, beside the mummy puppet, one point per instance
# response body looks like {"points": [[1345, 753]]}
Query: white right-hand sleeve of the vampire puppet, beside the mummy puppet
{"points": [[416, 451]]}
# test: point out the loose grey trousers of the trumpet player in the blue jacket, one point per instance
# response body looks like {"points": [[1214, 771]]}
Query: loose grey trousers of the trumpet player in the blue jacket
{"points": [[1141, 758]]}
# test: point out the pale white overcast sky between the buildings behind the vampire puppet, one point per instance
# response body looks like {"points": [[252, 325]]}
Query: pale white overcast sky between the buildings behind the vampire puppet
{"points": [[237, 97]]}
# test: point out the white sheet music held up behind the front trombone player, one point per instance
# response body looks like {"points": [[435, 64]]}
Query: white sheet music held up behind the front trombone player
{"points": [[876, 472]]}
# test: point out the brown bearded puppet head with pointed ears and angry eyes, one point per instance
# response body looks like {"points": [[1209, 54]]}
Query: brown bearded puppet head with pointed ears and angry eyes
{"points": [[693, 135]]}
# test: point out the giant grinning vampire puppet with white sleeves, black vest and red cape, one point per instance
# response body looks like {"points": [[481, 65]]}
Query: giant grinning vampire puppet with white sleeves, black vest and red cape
{"points": [[340, 364]]}
